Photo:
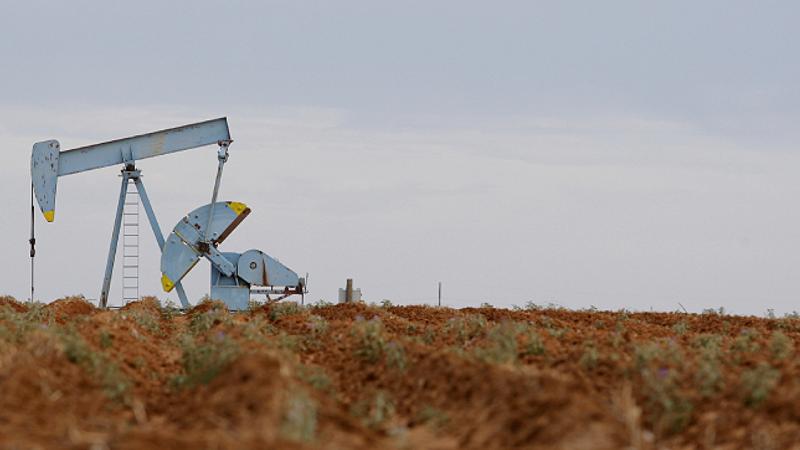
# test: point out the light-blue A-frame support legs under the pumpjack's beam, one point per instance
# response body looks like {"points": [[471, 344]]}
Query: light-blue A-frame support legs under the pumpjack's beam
{"points": [[131, 173]]}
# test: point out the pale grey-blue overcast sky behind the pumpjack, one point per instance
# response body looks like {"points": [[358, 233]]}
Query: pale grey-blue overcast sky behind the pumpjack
{"points": [[619, 154]]}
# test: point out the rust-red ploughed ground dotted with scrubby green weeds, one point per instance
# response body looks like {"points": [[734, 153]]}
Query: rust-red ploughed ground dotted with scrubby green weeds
{"points": [[357, 376]]}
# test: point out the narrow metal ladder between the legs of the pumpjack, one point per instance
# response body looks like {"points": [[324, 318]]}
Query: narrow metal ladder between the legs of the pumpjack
{"points": [[130, 245]]}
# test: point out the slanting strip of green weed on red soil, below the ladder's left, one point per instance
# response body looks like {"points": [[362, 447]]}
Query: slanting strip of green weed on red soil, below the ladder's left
{"points": [[98, 365]]}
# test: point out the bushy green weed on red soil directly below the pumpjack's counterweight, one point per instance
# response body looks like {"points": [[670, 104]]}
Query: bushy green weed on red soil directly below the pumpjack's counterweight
{"points": [[203, 361]]}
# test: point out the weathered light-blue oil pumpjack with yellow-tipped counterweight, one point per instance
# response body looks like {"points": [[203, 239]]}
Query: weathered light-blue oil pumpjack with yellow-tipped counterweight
{"points": [[234, 276]]}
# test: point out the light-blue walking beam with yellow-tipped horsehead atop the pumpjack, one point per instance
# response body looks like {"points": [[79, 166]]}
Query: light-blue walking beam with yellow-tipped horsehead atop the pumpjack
{"points": [[48, 162]]}
